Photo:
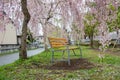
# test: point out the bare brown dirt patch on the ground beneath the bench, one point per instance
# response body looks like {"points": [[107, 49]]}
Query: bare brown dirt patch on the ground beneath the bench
{"points": [[76, 64]]}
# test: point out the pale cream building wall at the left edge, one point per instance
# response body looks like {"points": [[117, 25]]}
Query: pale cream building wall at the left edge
{"points": [[9, 35]]}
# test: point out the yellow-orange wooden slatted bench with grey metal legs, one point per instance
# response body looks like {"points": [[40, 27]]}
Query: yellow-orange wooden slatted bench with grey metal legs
{"points": [[61, 44]]}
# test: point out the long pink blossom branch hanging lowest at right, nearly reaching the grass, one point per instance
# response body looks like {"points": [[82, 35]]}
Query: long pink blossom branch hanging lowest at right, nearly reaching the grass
{"points": [[103, 13]]}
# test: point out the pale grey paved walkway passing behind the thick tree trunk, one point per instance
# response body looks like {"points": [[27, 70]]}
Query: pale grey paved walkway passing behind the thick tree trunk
{"points": [[10, 58]]}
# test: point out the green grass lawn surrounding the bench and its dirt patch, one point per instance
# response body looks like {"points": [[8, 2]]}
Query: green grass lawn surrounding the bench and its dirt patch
{"points": [[32, 68]]}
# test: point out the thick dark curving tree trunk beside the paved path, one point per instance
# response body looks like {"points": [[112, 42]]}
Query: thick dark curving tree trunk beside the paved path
{"points": [[23, 51]]}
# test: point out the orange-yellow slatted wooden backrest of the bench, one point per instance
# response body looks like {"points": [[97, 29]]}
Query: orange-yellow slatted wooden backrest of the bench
{"points": [[57, 42]]}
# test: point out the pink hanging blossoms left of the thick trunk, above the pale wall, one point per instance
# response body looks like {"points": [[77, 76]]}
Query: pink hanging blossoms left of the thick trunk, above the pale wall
{"points": [[12, 8]]}
